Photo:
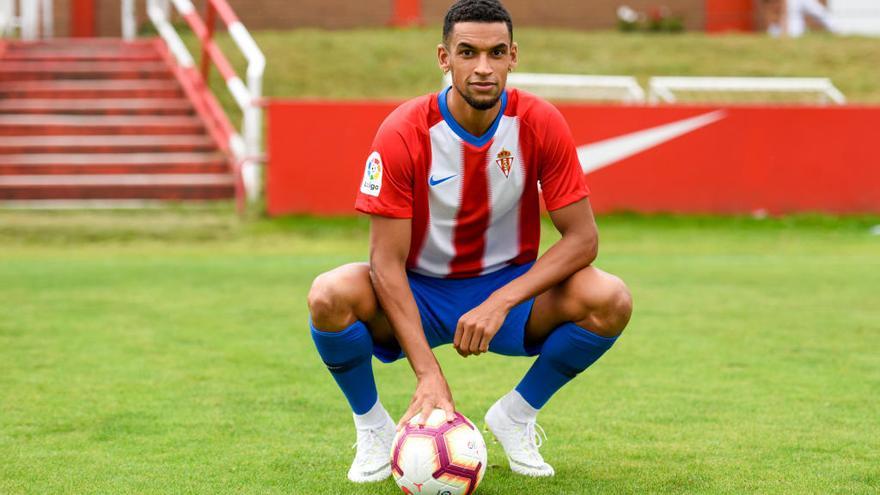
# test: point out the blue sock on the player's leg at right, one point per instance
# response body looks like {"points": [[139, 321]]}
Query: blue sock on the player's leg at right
{"points": [[569, 350]]}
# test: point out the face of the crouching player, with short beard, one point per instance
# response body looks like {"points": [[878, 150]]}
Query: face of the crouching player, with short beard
{"points": [[479, 55]]}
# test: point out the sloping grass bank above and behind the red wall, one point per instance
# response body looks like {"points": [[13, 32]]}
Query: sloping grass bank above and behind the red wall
{"points": [[399, 64]]}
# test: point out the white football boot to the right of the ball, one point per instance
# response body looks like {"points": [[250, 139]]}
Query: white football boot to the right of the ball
{"points": [[520, 441]]}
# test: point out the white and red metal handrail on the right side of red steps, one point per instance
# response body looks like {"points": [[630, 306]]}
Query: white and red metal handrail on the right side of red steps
{"points": [[246, 148]]}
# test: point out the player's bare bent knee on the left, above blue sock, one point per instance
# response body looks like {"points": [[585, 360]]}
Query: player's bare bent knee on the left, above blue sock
{"points": [[332, 298]]}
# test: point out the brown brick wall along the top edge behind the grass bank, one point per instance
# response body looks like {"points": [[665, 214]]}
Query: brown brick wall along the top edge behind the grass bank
{"points": [[336, 14]]}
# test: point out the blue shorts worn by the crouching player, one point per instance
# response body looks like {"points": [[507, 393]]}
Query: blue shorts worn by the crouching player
{"points": [[442, 301]]}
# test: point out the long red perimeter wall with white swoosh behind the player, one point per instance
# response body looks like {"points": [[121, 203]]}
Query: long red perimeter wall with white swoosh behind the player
{"points": [[737, 160]]}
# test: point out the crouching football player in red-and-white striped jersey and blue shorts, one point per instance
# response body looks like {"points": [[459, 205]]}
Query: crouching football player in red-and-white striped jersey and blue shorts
{"points": [[451, 187]]}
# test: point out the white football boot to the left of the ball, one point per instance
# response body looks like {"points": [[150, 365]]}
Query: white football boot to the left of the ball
{"points": [[372, 462]]}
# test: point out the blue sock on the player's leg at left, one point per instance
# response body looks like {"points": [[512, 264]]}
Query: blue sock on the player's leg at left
{"points": [[348, 355]]}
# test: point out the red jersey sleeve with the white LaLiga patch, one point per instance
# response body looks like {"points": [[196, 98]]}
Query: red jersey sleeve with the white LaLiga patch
{"points": [[387, 186]]}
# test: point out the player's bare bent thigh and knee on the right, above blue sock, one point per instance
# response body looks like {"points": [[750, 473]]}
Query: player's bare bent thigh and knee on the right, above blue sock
{"points": [[578, 298]]}
